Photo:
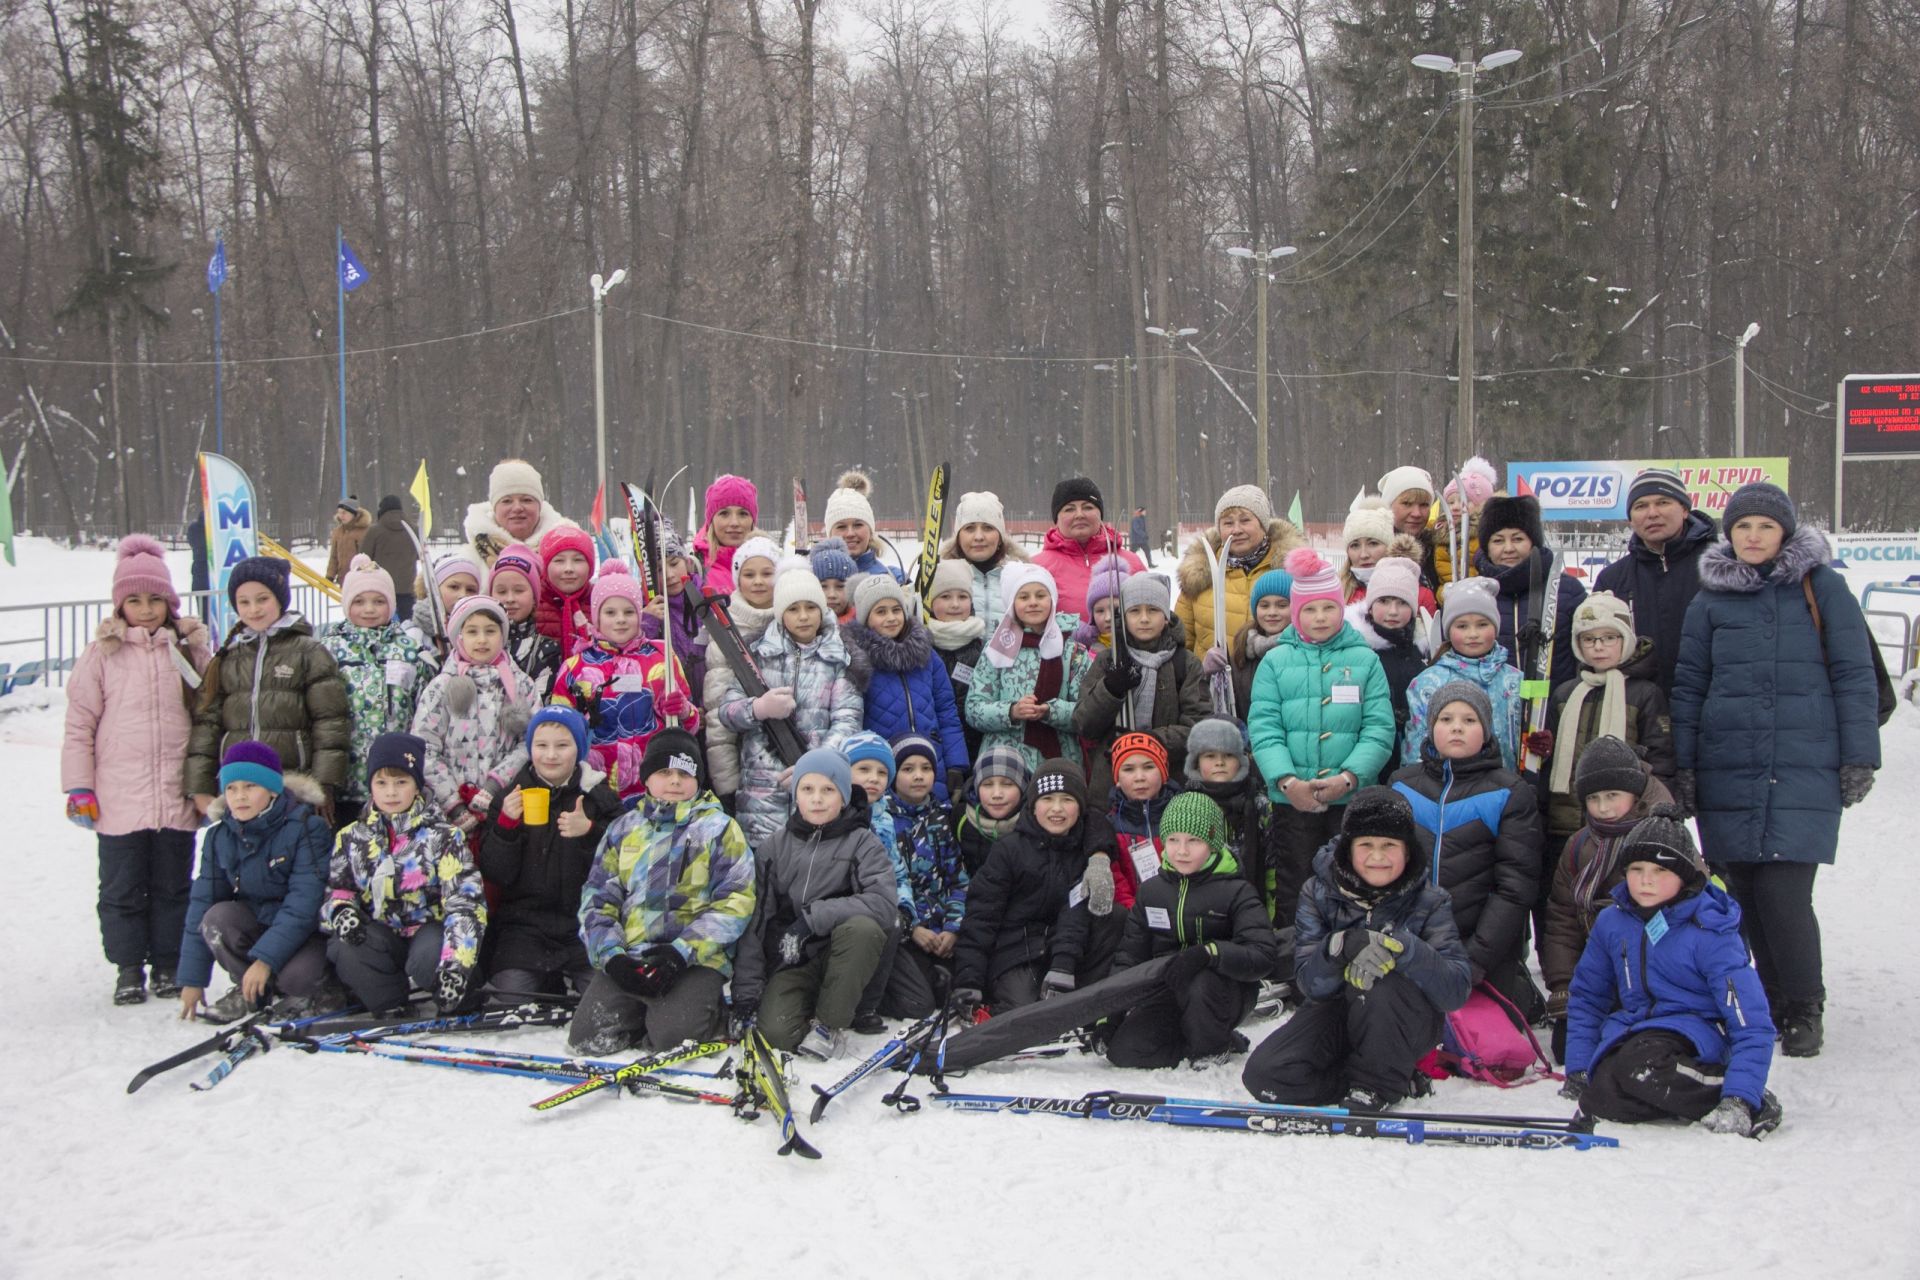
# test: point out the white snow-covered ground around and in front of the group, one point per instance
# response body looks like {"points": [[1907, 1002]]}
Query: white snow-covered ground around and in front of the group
{"points": [[327, 1166]]}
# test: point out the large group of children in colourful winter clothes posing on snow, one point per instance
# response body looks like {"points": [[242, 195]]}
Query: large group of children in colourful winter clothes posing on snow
{"points": [[552, 782]]}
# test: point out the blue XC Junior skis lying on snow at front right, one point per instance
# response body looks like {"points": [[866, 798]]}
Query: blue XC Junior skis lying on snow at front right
{"points": [[1278, 1120]]}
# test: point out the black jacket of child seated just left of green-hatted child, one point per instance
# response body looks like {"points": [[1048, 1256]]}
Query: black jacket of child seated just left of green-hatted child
{"points": [[1017, 909]]}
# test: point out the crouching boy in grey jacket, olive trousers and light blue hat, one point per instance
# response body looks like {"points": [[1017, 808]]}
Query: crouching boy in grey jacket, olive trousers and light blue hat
{"points": [[827, 901]]}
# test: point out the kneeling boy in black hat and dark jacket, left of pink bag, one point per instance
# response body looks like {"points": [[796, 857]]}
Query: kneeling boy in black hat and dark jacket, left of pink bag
{"points": [[1380, 960]]}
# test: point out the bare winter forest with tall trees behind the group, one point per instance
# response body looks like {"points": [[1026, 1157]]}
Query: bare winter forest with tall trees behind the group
{"points": [[898, 233]]}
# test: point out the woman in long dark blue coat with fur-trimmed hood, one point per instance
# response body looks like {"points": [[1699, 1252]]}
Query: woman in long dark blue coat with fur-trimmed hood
{"points": [[1777, 730]]}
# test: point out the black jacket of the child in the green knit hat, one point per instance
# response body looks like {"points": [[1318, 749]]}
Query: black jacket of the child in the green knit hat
{"points": [[1214, 907]]}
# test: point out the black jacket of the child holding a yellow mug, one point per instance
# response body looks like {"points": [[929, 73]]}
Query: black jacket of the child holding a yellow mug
{"points": [[539, 874]]}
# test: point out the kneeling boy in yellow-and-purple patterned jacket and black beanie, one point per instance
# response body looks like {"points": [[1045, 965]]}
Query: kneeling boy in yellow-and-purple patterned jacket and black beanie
{"points": [[663, 907]]}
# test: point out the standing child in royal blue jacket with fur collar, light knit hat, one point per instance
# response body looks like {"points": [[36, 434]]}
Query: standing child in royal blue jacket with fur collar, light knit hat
{"points": [[909, 690]]}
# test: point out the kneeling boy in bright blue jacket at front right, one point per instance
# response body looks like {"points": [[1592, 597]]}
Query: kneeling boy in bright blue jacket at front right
{"points": [[1668, 1018]]}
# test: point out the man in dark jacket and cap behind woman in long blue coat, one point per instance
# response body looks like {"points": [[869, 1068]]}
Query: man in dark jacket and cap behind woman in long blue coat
{"points": [[1660, 573]]}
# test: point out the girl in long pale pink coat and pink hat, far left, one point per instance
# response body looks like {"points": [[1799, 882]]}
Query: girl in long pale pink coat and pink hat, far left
{"points": [[122, 767]]}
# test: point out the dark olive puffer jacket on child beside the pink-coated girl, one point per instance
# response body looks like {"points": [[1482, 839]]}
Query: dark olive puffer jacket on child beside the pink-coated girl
{"points": [[283, 690]]}
